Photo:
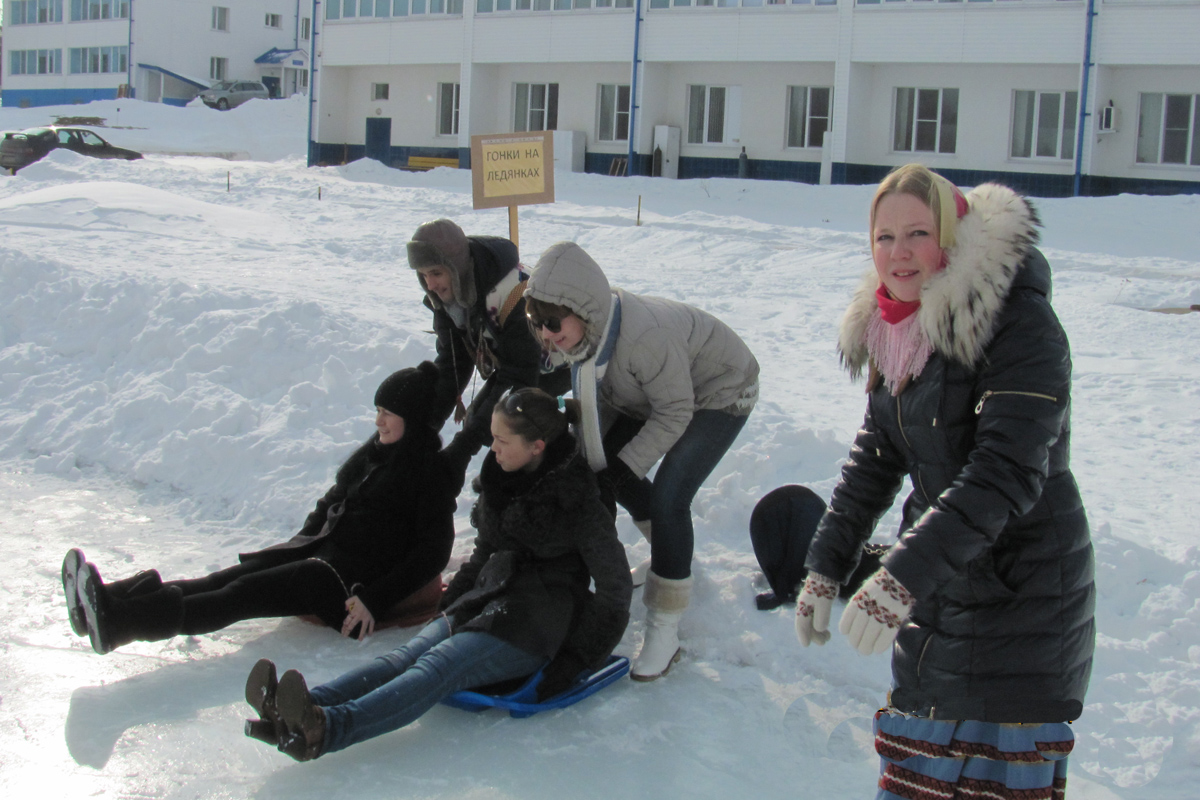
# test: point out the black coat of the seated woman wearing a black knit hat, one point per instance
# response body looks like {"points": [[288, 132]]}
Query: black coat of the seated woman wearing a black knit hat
{"points": [[386, 527]]}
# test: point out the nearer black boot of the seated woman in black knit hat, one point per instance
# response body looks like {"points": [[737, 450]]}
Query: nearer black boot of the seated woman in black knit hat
{"points": [[115, 622]]}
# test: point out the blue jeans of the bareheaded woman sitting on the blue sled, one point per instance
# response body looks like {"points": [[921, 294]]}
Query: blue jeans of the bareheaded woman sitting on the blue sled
{"points": [[399, 688]]}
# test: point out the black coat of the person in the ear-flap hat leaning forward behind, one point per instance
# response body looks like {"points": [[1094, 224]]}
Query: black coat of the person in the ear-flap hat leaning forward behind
{"points": [[513, 351]]}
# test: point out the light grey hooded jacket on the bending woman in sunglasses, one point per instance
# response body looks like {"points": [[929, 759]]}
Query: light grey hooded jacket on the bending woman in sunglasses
{"points": [[670, 360]]}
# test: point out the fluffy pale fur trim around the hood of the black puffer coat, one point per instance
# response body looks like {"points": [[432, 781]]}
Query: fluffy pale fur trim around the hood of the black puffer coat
{"points": [[961, 304]]}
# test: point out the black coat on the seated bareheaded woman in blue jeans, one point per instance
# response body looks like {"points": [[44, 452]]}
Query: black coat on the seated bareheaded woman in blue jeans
{"points": [[543, 538]]}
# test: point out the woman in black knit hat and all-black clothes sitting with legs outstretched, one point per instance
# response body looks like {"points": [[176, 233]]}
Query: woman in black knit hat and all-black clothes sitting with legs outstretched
{"points": [[374, 548]]}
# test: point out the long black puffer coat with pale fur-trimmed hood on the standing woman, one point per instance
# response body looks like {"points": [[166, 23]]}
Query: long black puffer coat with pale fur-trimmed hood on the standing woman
{"points": [[994, 544]]}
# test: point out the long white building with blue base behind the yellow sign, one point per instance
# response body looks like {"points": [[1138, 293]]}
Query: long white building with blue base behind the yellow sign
{"points": [[811, 91]]}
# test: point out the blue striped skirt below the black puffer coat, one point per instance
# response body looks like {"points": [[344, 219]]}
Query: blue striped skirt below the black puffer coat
{"points": [[943, 760]]}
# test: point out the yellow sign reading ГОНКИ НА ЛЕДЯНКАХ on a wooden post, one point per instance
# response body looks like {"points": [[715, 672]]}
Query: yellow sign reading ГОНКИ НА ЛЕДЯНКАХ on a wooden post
{"points": [[512, 170]]}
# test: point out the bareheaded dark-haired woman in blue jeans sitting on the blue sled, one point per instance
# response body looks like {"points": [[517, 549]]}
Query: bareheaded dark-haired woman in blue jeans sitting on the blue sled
{"points": [[521, 600]]}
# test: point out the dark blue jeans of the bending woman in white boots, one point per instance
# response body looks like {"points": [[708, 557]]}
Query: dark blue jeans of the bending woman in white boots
{"points": [[667, 501]]}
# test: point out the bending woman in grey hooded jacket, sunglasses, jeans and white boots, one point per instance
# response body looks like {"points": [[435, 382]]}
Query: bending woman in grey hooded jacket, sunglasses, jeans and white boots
{"points": [[657, 381]]}
